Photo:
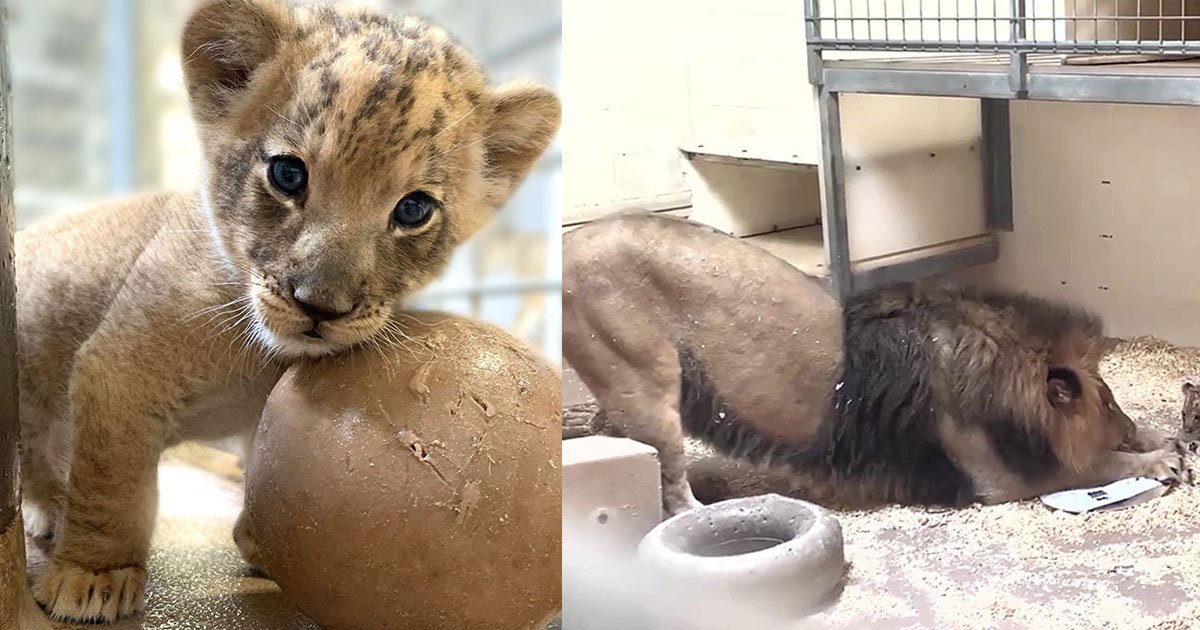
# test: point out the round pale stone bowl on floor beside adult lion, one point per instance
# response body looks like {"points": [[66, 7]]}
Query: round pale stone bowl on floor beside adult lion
{"points": [[769, 559]]}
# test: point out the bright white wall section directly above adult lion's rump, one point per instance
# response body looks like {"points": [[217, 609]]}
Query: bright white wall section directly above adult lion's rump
{"points": [[626, 106]]}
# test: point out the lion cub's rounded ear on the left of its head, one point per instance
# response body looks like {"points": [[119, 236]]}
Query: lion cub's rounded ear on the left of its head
{"points": [[225, 43]]}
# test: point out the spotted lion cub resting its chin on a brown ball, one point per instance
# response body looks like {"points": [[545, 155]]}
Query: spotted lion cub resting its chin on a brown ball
{"points": [[347, 154]]}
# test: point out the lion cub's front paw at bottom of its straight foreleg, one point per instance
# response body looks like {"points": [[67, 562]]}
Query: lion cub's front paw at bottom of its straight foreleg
{"points": [[71, 593]]}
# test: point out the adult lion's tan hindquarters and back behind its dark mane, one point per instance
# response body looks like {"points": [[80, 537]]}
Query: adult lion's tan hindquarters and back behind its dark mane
{"points": [[625, 307]]}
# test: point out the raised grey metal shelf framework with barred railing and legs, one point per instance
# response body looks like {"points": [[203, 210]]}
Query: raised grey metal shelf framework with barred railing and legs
{"points": [[1011, 76]]}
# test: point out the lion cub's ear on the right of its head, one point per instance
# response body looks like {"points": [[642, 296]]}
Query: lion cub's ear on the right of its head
{"points": [[524, 122]]}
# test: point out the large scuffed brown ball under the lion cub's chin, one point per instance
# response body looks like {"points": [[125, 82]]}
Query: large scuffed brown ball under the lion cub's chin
{"points": [[415, 485]]}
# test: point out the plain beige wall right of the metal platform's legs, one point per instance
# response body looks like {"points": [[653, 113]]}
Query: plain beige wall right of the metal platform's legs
{"points": [[1103, 201]]}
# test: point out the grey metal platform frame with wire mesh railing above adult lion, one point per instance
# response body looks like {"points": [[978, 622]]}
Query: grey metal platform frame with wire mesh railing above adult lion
{"points": [[998, 52]]}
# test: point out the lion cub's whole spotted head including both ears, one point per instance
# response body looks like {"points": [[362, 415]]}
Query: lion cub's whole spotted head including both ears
{"points": [[349, 161]]}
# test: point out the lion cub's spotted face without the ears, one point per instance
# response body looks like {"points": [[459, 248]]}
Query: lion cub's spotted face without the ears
{"points": [[355, 197]]}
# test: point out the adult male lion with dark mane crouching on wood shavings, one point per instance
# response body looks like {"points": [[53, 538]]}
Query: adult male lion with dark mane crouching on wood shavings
{"points": [[647, 297]]}
